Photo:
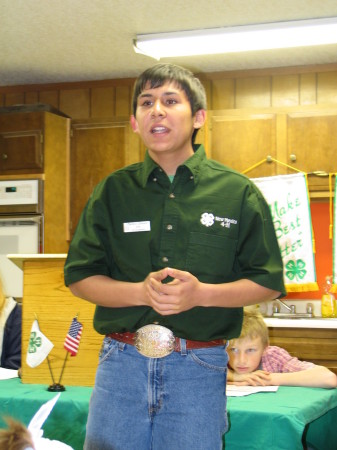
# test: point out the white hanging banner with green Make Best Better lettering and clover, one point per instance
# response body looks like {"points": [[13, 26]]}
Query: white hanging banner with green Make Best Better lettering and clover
{"points": [[288, 200]]}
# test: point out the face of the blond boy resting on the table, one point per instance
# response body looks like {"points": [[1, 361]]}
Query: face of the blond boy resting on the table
{"points": [[245, 354]]}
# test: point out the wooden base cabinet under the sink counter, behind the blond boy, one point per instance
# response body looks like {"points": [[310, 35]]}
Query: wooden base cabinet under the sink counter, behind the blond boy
{"points": [[317, 345]]}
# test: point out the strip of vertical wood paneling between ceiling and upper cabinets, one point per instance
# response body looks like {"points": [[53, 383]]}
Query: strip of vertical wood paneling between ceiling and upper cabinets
{"points": [[225, 90]]}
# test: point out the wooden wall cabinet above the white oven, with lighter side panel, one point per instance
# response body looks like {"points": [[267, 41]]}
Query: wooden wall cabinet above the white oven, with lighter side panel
{"points": [[34, 143]]}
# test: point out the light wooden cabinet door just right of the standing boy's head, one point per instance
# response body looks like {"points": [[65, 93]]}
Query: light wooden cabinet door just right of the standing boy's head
{"points": [[242, 140]]}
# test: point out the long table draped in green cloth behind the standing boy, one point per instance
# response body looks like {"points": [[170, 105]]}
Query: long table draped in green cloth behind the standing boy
{"points": [[275, 421]]}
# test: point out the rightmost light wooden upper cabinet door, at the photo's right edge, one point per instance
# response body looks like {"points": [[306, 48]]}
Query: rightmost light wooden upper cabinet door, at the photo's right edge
{"points": [[312, 144]]}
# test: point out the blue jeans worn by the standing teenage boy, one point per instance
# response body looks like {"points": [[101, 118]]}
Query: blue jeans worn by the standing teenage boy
{"points": [[173, 403]]}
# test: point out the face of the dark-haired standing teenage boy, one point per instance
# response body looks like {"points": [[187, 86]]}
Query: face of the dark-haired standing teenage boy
{"points": [[164, 121]]}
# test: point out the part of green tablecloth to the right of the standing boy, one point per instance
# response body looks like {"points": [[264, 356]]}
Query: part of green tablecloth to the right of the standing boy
{"points": [[280, 420]]}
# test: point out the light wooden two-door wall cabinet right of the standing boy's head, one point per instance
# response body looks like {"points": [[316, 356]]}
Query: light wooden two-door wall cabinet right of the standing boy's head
{"points": [[266, 142]]}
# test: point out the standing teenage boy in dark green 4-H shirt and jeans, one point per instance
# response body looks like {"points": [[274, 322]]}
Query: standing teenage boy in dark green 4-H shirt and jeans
{"points": [[169, 250]]}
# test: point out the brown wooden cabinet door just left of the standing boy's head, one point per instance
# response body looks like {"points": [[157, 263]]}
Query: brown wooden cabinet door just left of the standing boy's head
{"points": [[97, 149]]}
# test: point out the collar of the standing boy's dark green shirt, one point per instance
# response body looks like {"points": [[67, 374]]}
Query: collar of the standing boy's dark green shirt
{"points": [[193, 164]]}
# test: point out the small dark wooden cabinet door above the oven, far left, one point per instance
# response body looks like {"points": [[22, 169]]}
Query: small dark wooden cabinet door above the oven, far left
{"points": [[21, 152]]}
